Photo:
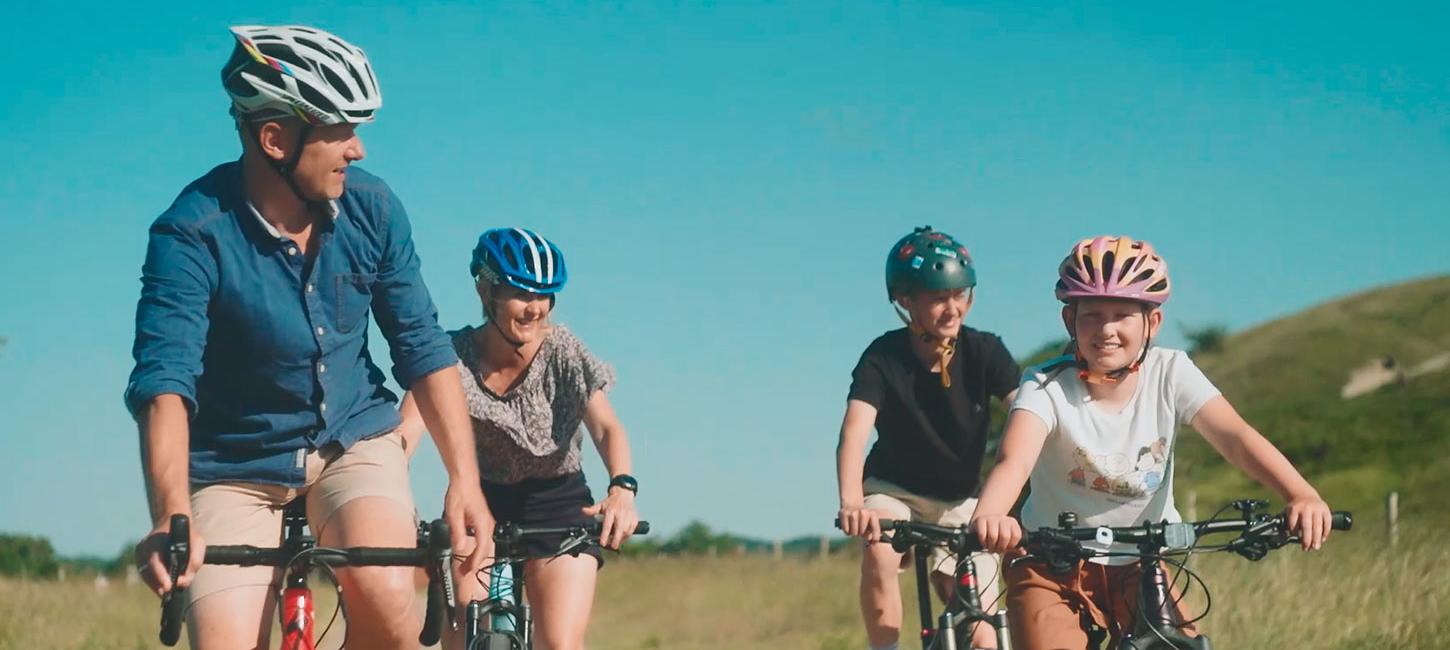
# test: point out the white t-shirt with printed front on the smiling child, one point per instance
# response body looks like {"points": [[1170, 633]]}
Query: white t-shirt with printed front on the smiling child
{"points": [[1111, 469]]}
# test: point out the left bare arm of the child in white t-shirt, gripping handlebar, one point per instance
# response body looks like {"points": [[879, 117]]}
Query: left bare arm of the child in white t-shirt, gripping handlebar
{"points": [[1022, 446]]}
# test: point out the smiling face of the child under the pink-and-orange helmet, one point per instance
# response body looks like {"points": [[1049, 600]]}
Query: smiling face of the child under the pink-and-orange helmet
{"points": [[1111, 333]]}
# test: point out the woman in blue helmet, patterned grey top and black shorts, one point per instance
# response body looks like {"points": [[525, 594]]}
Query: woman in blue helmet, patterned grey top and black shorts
{"points": [[530, 385]]}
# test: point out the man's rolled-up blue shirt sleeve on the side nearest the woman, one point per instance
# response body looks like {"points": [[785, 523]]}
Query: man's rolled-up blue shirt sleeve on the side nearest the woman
{"points": [[402, 305]]}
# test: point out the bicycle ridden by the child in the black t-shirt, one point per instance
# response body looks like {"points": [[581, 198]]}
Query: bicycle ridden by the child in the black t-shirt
{"points": [[964, 610]]}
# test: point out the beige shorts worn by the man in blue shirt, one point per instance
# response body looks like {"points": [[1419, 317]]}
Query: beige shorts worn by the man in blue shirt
{"points": [[252, 513]]}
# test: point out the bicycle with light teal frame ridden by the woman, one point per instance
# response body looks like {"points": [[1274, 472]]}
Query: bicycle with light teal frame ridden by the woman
{"points": [[502, 620]]}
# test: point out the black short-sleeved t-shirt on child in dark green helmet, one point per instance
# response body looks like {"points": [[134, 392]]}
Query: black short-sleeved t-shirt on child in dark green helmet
{"points": [[930, 440]]}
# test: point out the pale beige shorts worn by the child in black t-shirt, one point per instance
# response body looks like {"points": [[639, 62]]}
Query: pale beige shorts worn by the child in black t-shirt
{"points": [[897, 503]]}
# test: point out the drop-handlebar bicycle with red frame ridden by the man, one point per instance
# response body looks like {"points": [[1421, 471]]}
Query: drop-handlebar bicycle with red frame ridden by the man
{"points": [[299, 555]]}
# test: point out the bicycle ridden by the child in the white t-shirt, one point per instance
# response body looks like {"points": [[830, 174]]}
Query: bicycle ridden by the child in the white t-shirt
{"points": [[1159, 626]]}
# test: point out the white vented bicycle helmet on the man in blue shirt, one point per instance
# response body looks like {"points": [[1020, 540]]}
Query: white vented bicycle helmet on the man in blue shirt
{"points": [[299, 72]]}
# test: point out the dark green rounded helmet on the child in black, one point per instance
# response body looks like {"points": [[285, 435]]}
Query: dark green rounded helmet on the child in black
{"points": [[929, 260]]}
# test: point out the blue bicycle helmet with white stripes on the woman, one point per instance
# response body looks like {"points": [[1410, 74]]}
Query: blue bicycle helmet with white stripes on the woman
{"points": [[520, 258]]}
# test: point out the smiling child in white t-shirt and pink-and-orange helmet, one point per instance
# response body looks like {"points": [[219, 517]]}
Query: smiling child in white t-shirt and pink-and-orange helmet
{"points": [[1095, 432]]}
